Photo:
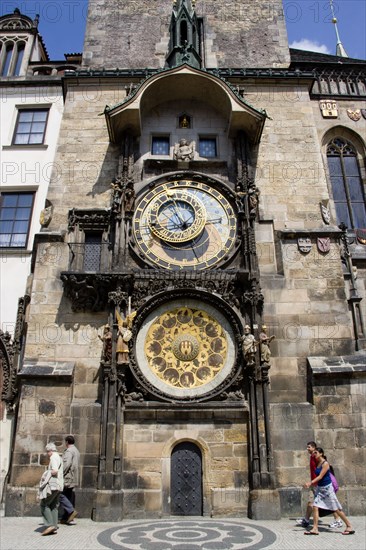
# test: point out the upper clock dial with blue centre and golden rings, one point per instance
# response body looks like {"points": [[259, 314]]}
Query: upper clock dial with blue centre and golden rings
{"points": [[184, 224]]}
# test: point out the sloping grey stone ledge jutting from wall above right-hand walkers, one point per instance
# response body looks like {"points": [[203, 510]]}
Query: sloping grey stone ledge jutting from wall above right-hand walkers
{"points": [[347, 364]]}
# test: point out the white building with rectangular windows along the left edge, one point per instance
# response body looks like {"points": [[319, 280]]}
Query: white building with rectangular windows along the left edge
{"points": [[31, 107]]}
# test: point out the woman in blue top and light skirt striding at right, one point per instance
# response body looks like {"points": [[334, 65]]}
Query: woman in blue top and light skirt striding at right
{"points": [[325, 496]]}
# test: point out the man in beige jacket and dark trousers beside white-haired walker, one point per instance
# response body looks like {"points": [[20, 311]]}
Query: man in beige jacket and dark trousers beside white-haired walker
{"points": [[70, 460]]}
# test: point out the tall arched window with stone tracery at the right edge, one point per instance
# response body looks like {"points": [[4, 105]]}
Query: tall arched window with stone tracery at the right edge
{"points": [[347, 188]]}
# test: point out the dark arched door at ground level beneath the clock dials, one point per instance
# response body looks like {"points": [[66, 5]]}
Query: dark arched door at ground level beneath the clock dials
{"points": [[186, 480]]}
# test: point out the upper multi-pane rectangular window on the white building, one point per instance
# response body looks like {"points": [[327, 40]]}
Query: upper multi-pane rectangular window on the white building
{"points": [[30, 127]]}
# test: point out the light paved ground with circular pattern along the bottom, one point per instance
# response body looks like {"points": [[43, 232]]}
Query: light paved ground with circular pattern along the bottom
{"points": [[177, 534]]}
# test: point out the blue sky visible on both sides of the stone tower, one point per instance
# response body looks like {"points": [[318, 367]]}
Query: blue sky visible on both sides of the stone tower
{"points": [[309, 24]]}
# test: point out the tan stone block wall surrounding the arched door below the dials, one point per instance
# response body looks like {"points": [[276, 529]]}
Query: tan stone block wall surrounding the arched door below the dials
{"points": [[149, 438]]}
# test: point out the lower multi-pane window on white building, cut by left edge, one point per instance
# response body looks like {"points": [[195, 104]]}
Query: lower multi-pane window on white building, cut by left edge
{"points": [[15, 216]]}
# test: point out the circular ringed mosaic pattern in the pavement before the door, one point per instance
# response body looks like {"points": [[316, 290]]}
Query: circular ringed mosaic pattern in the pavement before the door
{"points": [[187, 535]]}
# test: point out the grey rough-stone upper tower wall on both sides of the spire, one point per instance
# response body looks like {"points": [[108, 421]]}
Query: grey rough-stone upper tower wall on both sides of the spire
{"points": [[136, 34]]}
